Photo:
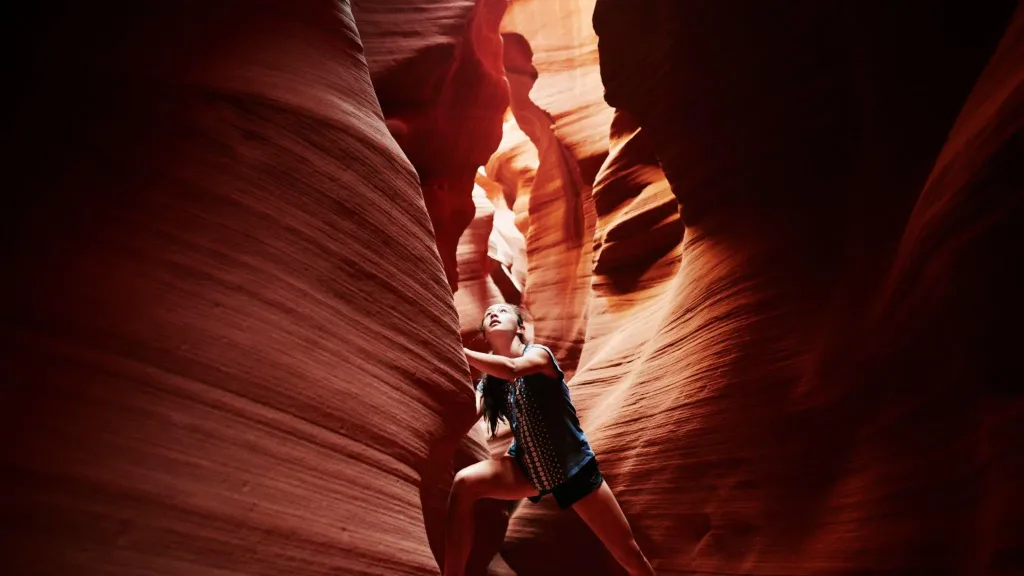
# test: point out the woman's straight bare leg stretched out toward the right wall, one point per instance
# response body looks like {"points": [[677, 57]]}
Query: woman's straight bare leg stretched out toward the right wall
{"points": [[602, 513]]}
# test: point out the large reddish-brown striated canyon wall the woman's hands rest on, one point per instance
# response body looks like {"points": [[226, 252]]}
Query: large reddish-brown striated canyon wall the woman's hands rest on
{"points": [[231, 345]]}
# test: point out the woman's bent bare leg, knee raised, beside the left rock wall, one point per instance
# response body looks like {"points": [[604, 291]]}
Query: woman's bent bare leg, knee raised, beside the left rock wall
{"points": [[501, 479]]}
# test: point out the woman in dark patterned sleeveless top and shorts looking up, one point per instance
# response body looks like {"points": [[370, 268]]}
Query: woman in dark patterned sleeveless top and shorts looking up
{"points": [[550, 456]]}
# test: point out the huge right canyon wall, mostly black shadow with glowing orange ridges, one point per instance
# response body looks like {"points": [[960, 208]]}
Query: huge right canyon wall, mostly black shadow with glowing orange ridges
{"points": [[810, 389]]}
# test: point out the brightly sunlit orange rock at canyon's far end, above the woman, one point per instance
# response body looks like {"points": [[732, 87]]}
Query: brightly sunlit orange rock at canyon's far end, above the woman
{"points": [[551, 148]]}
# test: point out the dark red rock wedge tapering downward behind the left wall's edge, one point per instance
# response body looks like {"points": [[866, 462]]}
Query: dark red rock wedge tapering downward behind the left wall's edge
{"points": [[438, 71]]}
